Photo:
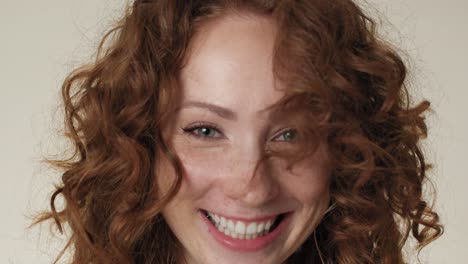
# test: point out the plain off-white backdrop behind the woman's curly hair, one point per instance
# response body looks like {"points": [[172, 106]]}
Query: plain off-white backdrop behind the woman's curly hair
{"points": [[40, 41]]}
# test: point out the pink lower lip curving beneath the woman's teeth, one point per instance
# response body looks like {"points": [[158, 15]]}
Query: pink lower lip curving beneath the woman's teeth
{"points": [[245, 244]]}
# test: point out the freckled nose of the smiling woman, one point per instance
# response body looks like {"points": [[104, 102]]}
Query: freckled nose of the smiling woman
{"points": [[251, 178]]}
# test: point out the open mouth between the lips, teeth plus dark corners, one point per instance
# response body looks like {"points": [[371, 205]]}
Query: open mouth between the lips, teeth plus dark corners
{"points": [[239, 229]]}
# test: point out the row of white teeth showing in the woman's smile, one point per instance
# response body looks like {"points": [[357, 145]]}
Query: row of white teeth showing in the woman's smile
{"points": [[239, 229]]}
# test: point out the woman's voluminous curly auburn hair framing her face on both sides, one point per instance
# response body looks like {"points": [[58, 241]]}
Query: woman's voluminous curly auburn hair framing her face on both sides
{"points": [[327, 52]]}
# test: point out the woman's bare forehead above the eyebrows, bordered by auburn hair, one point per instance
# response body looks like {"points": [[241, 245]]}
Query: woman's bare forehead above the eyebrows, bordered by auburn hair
{"points": [[230, 63]]}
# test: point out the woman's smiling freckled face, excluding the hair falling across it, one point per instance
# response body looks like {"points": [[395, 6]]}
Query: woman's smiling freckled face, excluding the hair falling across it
{"points": [[227, 211]]}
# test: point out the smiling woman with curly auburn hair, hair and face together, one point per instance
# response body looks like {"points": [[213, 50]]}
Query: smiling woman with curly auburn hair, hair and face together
{"points": [[243, 132]]}
